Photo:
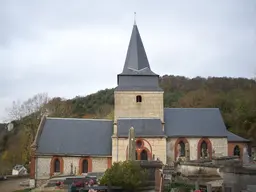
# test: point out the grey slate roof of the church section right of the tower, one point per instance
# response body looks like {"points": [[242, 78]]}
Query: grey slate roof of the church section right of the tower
{"points": [[194, 122]]}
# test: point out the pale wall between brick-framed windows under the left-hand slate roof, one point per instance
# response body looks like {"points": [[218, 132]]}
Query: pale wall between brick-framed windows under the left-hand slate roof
{"points": [[99, 164]]}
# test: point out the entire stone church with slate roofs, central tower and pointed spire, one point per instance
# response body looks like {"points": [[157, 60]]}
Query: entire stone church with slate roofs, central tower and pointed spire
{"points": [[72, 145]]}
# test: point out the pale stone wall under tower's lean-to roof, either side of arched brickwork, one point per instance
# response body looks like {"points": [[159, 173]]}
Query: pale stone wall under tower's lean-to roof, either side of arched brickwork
{"points": [[156, 146]]}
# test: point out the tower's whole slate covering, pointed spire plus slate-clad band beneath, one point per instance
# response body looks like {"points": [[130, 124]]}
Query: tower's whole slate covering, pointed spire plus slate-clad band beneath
{"points": [[137, 74]]}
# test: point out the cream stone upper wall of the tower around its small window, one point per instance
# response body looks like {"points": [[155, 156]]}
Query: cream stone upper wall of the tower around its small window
{"points": [[126, 106]]}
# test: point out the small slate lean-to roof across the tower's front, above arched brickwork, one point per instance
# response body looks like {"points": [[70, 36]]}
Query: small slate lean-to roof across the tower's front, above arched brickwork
{"points": [[143, 127]]}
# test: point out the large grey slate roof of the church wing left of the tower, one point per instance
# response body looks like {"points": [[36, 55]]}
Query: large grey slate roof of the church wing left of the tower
{"points": [[76, 137]]}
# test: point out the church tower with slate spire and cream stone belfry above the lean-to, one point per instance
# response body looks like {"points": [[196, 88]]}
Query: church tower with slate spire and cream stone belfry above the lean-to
{"points": [[138, 94]]}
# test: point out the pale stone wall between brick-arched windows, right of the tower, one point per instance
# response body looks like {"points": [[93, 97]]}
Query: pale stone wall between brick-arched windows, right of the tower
{"points": [[219, 145]]}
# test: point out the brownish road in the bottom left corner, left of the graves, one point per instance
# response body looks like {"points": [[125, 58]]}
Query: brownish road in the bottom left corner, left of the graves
{"points": [[11, 185]]}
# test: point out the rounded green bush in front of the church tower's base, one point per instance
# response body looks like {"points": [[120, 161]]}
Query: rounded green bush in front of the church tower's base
{"points": [[128, 174]]}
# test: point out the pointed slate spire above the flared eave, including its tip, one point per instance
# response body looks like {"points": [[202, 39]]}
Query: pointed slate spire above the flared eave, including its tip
{"points": [[136, 59]]}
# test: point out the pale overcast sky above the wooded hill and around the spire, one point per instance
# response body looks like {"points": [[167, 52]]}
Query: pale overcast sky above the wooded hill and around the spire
{"points": [[68, 48]]}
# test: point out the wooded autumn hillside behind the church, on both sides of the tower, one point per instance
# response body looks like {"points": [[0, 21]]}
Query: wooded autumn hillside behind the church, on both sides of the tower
{"points": [[236, 98]]}
